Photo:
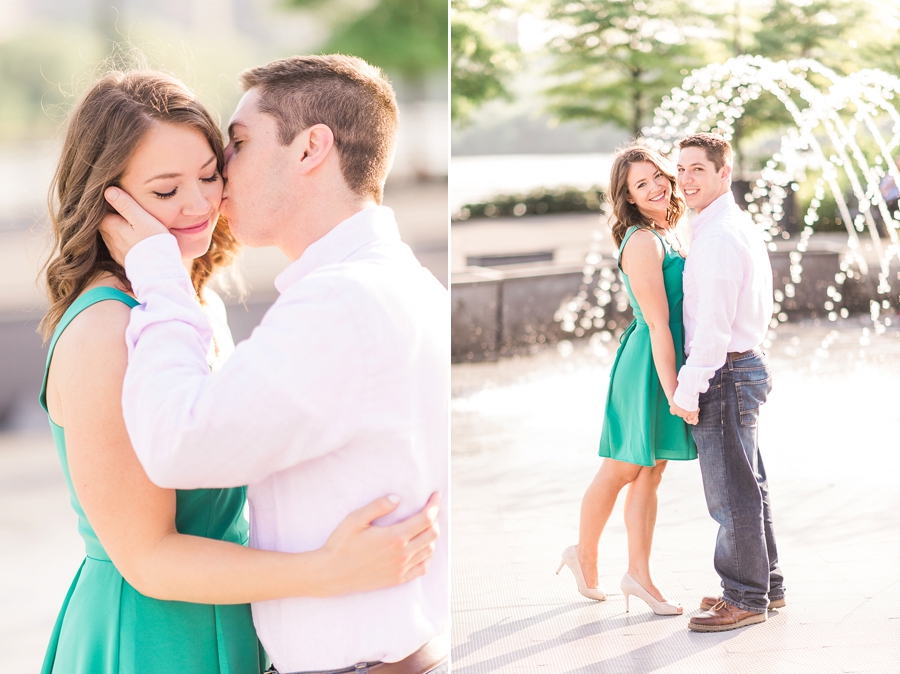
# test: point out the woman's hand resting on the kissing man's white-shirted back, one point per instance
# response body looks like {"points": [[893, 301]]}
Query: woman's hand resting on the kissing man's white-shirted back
{"points": [[360, 556]]}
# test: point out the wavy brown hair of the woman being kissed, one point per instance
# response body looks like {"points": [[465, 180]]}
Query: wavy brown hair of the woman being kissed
{"points": [[103, 132]]}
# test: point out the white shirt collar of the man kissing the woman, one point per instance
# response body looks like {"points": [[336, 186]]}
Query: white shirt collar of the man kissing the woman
{"points": [[370, 224]]}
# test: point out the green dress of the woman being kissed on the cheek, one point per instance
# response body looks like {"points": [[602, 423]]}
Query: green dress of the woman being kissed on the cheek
{"points": [[107, 627]]}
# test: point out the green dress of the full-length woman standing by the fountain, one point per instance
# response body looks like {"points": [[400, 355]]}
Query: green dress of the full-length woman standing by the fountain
{"points": [[638, 427]]}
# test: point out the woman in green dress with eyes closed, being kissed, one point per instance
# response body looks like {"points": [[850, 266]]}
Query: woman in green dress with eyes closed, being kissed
{"points": [[167, 576]]}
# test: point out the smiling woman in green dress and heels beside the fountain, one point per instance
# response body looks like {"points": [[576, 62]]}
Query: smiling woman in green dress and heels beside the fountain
{"points": [[639, 433]]}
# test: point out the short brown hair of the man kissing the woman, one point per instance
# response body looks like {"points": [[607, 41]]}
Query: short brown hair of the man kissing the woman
{"points": [[351, 97]]}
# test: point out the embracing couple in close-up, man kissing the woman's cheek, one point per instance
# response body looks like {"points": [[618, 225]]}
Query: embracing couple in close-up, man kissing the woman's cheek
{"points": [[331, 419]]}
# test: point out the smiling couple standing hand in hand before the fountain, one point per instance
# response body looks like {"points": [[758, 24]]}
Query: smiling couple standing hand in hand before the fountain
{"points": [[688, 380]]}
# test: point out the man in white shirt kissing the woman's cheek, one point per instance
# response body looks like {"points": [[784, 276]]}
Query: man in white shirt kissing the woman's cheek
{"points": [[340, 396]]}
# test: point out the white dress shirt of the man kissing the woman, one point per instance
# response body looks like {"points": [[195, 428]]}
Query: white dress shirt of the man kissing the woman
{"points": [[340, 396]]}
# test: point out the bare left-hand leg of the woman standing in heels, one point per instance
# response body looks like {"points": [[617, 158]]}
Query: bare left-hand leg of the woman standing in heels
{"points": [[596, 507]]}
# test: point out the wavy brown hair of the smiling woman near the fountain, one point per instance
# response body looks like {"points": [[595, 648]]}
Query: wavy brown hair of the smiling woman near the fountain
{"points": [[625, 214]]}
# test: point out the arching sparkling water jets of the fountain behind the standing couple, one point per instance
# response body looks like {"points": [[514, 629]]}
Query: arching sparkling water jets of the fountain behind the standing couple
{"points": [[845, 130]]}
